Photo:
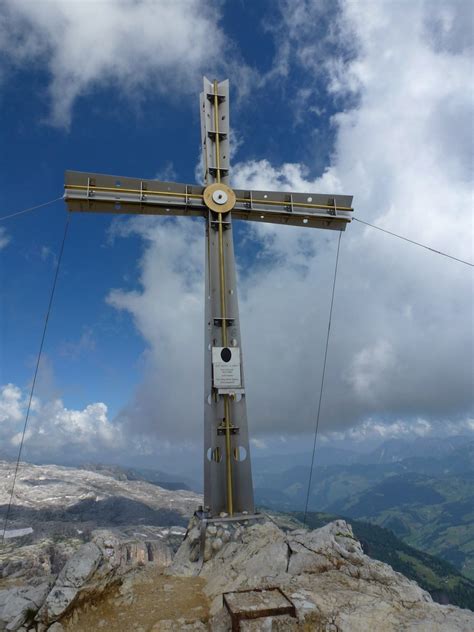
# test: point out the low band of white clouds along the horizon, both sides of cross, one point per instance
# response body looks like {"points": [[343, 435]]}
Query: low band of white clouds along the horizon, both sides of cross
{"points": [[56, 433]]}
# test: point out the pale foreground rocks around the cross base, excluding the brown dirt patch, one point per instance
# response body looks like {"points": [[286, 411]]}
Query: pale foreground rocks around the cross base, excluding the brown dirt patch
{"points": [[332, 584]]}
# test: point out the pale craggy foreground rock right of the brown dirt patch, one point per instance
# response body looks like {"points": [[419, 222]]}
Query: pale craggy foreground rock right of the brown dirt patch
{"points": [[332, 583]]}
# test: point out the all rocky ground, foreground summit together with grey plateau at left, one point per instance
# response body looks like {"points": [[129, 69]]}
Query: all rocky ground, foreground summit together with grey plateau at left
{"points": [[149, 578]]}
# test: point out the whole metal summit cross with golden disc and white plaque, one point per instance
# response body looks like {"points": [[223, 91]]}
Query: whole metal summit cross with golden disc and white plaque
{"points": [[227, 470]]}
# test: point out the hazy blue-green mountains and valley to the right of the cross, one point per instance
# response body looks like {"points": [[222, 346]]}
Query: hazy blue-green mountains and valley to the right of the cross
{"points": [[423, 491]]}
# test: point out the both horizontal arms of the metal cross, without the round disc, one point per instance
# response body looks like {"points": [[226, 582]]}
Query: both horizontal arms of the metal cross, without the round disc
{"points": [[97, 193]]}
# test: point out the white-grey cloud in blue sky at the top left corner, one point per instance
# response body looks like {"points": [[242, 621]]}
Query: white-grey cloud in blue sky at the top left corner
{"points": [[128, 45]]}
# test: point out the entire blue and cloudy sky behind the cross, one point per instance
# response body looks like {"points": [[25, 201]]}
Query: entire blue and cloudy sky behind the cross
{"points": [[371, 99]]}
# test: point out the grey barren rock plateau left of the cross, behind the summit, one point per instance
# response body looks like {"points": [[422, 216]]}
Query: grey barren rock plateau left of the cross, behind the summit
{"points": [[57, 509]]}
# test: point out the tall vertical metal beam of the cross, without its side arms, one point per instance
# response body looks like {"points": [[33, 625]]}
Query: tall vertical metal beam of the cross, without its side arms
{"points": [[227, 470]]}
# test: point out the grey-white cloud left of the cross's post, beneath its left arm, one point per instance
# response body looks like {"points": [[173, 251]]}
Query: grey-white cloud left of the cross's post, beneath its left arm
{"points": [[168, 312]]}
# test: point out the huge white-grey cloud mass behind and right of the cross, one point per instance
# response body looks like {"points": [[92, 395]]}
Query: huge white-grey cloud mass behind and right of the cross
{"points": [[401, 345]]}
